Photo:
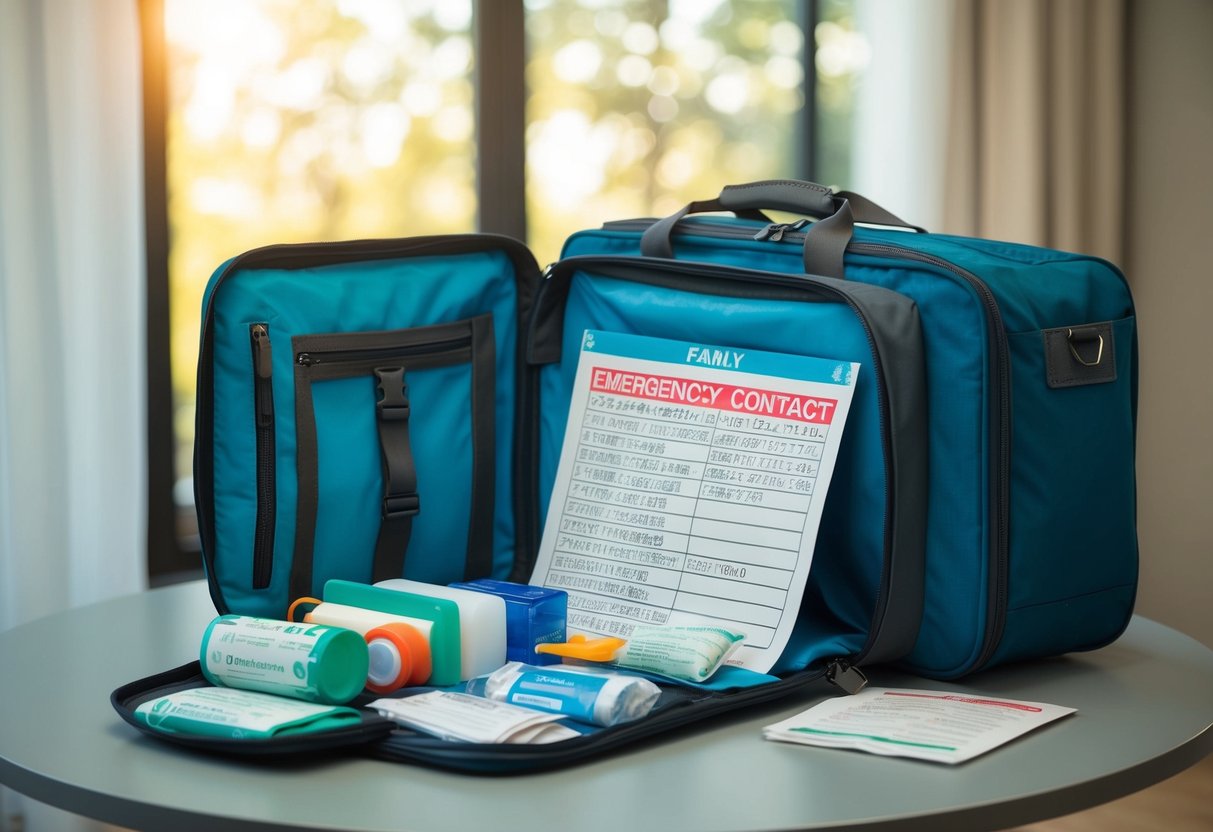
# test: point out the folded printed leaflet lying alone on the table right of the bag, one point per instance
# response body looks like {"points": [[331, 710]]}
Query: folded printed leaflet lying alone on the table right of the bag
{"points": [[939, 727]]}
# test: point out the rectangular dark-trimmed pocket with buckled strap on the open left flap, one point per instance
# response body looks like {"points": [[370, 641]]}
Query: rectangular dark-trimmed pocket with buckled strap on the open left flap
{"points": [[389, 425]]}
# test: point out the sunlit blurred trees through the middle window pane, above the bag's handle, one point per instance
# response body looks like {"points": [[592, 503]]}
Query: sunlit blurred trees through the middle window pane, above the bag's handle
{"points": [[639, 107]]}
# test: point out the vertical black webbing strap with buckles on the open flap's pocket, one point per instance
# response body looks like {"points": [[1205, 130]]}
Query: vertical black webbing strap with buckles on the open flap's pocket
{"points": [[401, 500]]}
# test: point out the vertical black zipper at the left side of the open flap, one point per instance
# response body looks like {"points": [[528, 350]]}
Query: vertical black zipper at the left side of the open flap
{"points": [[264, 425]]}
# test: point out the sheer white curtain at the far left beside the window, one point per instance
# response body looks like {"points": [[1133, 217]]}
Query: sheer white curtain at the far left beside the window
{"points": [[72, 283]]}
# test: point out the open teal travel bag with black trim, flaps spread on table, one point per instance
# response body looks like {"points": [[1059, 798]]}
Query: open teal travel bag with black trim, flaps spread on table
{"points": [[386, 408]]}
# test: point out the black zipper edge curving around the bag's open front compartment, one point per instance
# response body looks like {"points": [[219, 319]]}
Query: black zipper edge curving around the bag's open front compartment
{"points": [[630, 269]]}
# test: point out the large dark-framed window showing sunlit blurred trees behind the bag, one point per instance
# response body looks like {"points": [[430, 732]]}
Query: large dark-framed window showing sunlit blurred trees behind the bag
{"points": [[294, 121]]}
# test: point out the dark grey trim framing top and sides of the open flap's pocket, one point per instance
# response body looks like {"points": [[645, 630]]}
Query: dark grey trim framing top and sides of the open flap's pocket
{"points": [[348, 355]]}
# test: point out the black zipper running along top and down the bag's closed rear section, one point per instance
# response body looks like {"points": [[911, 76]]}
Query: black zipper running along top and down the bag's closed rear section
{"points": [[1000, 361]]}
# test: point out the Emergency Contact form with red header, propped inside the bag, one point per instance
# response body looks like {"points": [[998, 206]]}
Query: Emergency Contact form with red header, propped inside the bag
{"points": [[691, 486]]}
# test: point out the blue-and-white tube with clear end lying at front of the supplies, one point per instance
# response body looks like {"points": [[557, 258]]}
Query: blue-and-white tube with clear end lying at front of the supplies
{"points": [[599, 698]]}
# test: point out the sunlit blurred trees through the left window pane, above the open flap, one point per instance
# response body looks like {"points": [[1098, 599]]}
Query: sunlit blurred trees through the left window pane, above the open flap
{"points": [[303, 121]]}
